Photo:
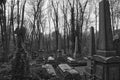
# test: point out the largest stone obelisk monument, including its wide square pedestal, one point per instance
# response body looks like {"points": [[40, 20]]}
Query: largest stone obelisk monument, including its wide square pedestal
{"points": [[106, 62]]}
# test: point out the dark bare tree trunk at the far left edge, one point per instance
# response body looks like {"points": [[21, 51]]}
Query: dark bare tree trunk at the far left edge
{"points": [[4, 30]]}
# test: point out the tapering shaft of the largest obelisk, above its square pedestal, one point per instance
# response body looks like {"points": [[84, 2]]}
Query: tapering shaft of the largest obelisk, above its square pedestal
{"points": [[105, 43]]}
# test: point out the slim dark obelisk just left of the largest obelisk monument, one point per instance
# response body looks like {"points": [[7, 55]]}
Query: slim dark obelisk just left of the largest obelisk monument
{"points": [[90, 62]]}
